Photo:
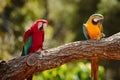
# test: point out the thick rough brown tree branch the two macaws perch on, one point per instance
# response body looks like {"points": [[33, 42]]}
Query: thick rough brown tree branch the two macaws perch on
{"points": [[25, 66]]}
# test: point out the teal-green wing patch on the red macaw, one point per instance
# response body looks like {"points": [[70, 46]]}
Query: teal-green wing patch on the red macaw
{"points": [[27, 45]]}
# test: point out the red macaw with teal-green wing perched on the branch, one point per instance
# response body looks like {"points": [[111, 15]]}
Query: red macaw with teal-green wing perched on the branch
{"points": [[34, 37]]}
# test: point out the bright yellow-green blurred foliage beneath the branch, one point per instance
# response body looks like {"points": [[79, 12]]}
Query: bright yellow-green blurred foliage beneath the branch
{"points": [[80, 71]]}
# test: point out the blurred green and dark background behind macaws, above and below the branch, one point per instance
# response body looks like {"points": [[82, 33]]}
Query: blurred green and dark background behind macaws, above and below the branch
{"points": [[65, 25]]}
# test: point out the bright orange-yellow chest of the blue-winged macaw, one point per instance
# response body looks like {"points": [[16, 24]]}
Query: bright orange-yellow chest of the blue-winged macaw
{"points": [[93, 32]]}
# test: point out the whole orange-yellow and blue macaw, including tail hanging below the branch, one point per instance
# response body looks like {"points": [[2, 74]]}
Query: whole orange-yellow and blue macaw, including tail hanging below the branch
{"points": [[93, 30]]}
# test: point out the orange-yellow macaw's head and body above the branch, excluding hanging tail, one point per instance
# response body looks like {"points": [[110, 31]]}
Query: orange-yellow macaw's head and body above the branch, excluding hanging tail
{"points": [[93, 29]]}
